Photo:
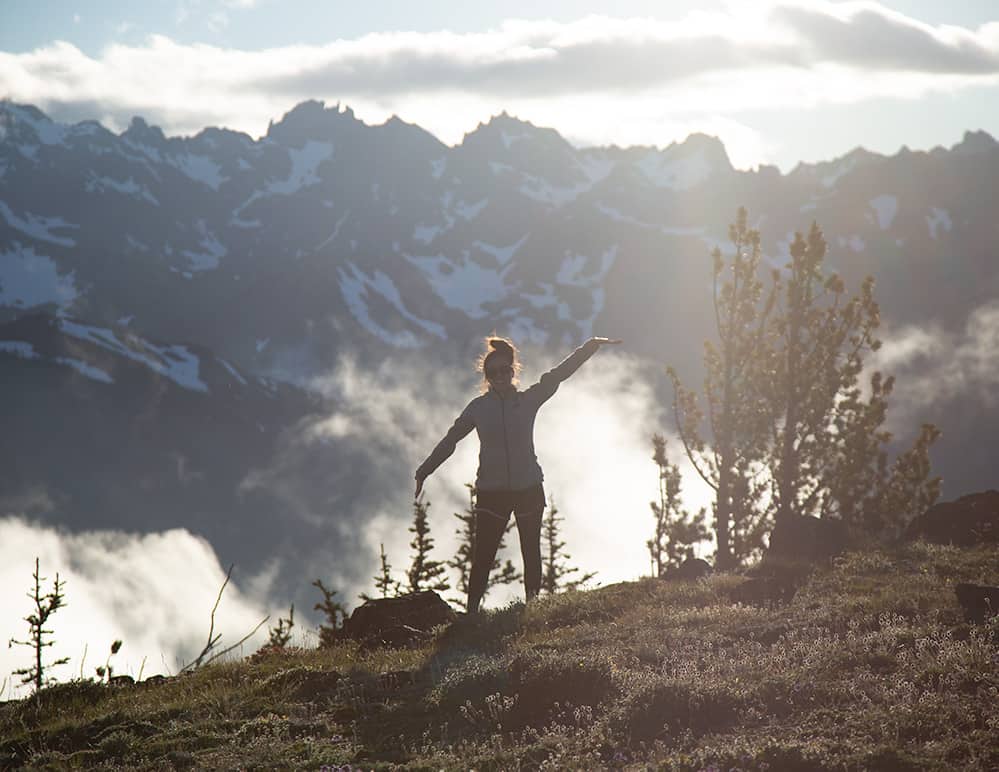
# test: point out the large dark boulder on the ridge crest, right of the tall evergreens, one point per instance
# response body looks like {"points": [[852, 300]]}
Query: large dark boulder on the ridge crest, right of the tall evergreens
{"points": [[967, 522]]}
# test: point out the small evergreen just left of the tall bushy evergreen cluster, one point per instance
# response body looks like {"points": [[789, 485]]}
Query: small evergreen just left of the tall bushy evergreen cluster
{"points": [[676, 529]]}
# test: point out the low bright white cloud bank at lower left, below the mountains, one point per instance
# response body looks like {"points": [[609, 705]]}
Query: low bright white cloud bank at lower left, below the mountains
{"points": [[154, 591]]}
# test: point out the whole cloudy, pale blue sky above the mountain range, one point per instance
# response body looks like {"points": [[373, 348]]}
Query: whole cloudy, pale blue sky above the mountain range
{"points": [[779, 81]]}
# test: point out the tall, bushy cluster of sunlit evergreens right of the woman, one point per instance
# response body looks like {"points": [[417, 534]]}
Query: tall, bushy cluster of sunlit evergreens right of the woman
{"points": [[784, 427]]}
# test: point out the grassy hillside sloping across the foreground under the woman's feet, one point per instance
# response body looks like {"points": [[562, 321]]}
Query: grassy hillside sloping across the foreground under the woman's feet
{"points": [[868, 667]]}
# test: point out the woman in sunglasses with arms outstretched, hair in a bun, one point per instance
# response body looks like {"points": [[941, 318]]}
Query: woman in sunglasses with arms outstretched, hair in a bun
{"points": [[509, 477]]}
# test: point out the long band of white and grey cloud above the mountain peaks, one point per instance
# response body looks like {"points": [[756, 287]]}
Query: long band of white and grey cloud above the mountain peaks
{"points": [[609, 75]]}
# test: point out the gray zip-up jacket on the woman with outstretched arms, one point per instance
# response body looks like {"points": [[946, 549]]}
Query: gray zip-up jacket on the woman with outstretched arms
{"points": [[505, 426]]}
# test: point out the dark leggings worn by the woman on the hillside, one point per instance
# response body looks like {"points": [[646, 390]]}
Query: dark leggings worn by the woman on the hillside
{"points": [[492, 513]]}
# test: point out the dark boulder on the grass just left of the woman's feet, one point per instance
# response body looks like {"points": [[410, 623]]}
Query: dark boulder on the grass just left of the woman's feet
{"points": [[400, 621]]}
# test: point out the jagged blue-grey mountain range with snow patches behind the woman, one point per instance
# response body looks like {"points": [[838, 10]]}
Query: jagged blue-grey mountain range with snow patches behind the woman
{"points": [[169, 304]]}
